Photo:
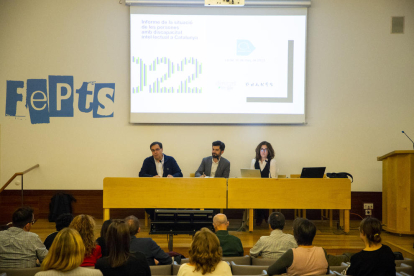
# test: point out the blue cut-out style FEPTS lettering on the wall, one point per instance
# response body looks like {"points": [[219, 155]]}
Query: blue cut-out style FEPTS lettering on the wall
{"points": [[42, 104]]}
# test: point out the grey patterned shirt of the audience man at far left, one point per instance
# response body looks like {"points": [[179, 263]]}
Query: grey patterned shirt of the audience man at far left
{"points": [[20, 249]]}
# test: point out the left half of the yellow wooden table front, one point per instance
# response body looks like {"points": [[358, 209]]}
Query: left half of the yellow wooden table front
{"points": [[143, 192]]}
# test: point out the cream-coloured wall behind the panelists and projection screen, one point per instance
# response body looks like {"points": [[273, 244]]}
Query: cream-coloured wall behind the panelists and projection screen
{"points": [[360, 95]]}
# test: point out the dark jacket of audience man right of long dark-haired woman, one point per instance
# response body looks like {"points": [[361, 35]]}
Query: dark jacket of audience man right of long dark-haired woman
{"points": [[150, 249]]}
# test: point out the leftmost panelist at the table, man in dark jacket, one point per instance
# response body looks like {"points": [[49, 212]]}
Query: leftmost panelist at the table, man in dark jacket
{"points": [[159, 164]]}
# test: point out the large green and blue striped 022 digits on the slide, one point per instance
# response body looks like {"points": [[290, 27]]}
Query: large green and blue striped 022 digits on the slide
{"points": [[157, 86]]}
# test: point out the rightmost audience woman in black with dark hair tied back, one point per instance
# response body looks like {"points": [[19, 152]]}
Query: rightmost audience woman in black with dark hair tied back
{"points": [[376, 258]]}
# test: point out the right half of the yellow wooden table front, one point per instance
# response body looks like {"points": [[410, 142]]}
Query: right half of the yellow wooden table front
{"points": [[301, 193]]}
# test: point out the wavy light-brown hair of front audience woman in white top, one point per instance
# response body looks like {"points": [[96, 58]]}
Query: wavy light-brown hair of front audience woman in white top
{"points": [[205, 251]]}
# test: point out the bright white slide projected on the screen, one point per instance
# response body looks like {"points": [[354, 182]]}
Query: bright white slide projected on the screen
{"points": [[216, 68]]}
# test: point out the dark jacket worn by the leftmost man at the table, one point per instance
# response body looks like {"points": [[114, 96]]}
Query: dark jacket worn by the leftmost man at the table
{"points": [[170, 167]]}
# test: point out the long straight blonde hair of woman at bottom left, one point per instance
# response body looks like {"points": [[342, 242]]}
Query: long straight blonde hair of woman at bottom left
{"points": [[66, 253]]}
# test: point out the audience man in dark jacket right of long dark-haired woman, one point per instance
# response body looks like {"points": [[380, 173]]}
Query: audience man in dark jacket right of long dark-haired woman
{"points": [[150, 248]]}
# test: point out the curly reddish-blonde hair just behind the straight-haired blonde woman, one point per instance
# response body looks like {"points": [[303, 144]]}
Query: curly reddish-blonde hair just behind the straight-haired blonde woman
{"points": [[85, 225]]}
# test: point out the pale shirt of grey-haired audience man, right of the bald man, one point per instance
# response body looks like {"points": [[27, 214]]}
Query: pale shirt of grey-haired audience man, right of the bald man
{"points": [[273, 246]]}
